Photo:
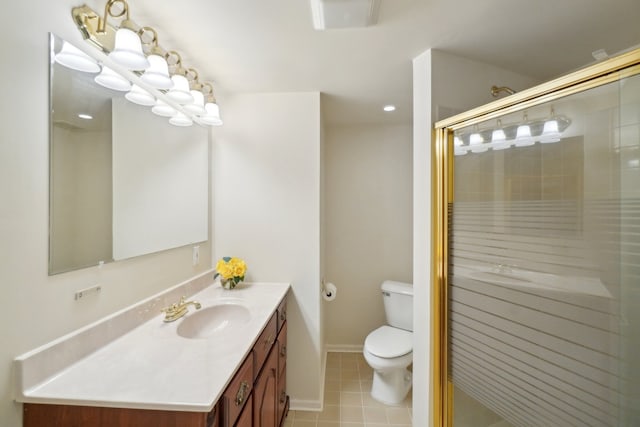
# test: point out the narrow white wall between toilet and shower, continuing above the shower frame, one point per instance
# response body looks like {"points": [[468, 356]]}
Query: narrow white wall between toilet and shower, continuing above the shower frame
{"points": [[442, 83]]}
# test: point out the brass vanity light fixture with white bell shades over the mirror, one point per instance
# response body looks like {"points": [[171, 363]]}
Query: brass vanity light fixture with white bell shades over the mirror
{"points": [[160, 79]]}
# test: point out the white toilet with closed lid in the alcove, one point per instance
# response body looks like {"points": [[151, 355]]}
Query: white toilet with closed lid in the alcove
{"points": [[389, 349]]}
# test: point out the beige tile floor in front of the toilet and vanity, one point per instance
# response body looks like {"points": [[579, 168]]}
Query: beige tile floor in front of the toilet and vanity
{"points": [[347, 399]]}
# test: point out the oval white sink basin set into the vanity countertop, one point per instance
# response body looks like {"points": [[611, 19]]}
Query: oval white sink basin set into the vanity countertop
{"points": [[213, 320]]}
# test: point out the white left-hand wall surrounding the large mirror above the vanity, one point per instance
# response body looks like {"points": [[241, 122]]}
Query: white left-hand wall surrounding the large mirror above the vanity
{"points": [[37, 308]]}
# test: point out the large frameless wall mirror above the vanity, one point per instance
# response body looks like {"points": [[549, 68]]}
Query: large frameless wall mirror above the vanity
{"points": [[123, 181]]}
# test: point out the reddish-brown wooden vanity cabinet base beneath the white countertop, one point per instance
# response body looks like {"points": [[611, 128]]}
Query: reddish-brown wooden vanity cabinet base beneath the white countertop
{"points": [[255, 397]]}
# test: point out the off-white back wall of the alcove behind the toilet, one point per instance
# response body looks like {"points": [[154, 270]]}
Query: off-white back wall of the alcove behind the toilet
{"points": [[368, 225]]}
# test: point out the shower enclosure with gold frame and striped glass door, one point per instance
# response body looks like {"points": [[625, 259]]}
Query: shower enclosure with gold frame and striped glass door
{"points": [[536, 292]]}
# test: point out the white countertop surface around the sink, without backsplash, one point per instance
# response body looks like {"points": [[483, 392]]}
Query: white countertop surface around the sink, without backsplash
{"points": [[152, 367]]}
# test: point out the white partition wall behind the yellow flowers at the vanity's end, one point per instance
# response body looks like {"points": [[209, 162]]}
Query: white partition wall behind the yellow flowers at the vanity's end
{"points": [[266, 197]]}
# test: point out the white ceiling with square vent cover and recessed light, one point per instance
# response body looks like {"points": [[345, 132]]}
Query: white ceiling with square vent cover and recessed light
{"points": [[271, 46]]}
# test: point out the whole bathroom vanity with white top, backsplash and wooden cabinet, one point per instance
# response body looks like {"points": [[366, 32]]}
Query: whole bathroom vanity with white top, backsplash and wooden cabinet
{"points": [[221, 365]]}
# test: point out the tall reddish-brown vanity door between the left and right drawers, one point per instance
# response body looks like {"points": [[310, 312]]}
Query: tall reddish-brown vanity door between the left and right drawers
{"points": [[265, 394]]}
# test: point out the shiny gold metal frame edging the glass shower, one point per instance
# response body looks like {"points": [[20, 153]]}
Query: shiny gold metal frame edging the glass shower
{"points": [[599, 74]]}
